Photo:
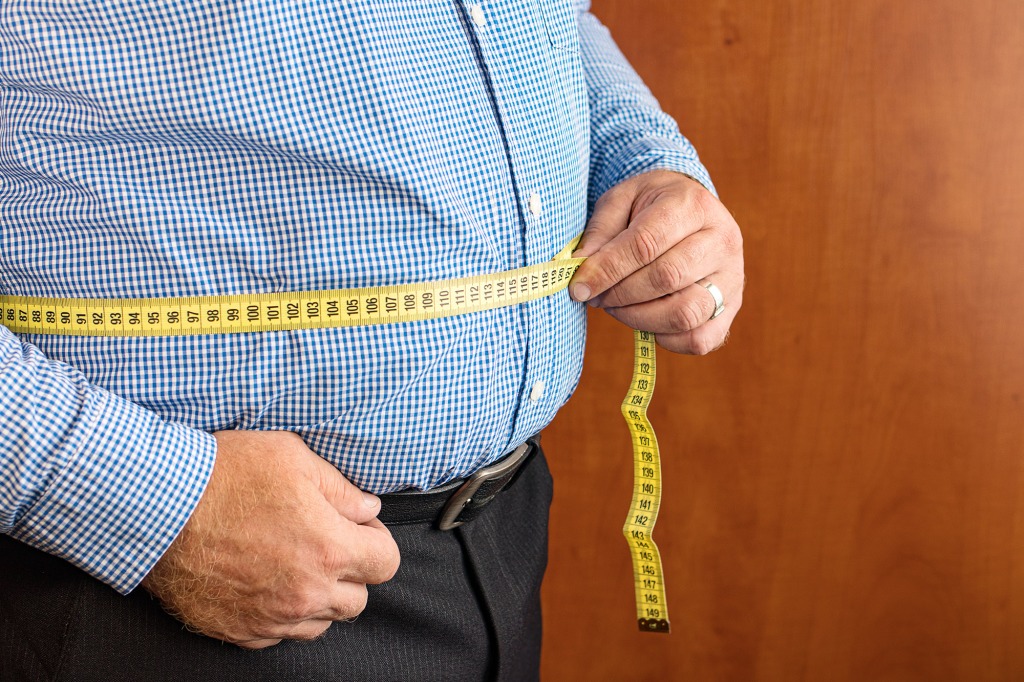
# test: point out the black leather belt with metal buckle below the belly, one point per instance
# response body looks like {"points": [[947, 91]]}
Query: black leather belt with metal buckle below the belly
{"points": [[452, 505]]}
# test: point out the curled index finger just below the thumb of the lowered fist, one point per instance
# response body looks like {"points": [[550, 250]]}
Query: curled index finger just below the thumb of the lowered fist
{"points": [[364, 553]]}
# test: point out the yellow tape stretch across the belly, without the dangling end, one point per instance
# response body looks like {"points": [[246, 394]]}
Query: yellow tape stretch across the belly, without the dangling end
{"points": [[284, 311]]}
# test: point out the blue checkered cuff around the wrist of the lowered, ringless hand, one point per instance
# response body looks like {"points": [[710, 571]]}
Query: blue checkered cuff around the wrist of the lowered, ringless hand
{"points": [[124, 495]]}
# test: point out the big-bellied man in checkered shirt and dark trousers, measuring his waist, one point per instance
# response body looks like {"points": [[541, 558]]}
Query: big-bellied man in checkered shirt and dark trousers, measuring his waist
{"points": [[257, 484]]}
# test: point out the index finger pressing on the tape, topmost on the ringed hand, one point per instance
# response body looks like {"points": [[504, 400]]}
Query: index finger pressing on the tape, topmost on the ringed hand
{"points": [[652, 233]]}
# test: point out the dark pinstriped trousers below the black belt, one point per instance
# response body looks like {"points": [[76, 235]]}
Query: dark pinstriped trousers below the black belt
{"points": [[464, 606]]}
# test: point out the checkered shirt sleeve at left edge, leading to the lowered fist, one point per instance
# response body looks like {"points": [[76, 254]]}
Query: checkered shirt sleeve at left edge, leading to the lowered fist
{"points": [[89, 477]]}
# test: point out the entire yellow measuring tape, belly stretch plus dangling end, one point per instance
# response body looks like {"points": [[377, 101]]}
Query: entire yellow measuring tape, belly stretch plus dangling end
{"points": [[381, 306]]}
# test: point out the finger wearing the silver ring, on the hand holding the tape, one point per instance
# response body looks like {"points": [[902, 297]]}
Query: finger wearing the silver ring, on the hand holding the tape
{"points": [[684, 312]]}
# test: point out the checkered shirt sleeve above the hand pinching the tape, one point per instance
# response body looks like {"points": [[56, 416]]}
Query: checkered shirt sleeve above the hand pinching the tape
{"points": [[630, 134]]}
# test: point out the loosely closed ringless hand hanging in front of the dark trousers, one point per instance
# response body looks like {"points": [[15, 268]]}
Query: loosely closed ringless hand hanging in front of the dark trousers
{"points": [[280, 546]]}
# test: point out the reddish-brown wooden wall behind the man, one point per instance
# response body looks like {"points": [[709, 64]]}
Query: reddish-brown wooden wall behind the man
{"points": [[845, 480]]}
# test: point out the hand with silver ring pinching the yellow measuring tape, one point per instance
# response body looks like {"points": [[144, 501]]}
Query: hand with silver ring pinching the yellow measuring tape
{"points": [[653, 244]]}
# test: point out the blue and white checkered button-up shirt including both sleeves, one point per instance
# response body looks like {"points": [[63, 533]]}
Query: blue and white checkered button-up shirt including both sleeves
{"points": [[170, 149]]}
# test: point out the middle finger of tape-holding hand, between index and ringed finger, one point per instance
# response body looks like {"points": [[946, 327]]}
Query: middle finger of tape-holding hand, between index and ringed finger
{"points": [[675, 271]]}
